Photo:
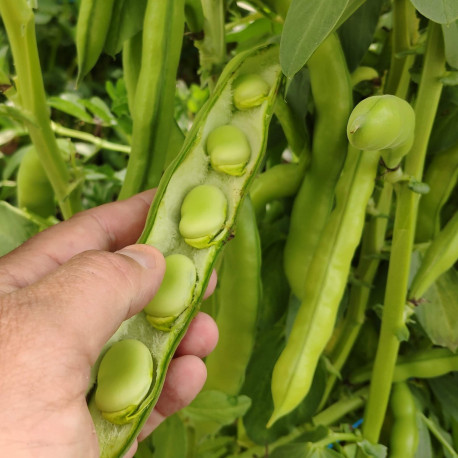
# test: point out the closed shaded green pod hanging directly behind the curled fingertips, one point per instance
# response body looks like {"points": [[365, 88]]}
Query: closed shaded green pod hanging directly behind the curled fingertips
{"points": [[237, 300]]}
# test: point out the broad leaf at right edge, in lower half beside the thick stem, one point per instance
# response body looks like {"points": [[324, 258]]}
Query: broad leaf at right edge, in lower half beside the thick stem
{"points": [[438, 313]]}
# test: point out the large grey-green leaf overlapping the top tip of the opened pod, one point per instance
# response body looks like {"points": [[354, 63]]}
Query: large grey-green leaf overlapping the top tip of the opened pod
{"points": [[306, 26]]}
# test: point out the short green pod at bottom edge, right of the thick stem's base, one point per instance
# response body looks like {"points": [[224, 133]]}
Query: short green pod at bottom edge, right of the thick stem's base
{"points": [[404, 434]]}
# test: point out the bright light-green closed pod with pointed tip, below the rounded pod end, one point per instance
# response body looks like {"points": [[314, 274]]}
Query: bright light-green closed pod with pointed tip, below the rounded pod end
{"points": [[324, 285]]}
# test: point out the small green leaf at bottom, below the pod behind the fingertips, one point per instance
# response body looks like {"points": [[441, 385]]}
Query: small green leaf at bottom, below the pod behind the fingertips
{"points": [[216, 406]]}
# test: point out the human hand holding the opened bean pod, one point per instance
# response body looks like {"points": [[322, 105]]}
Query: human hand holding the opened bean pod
{"points": [[63, 294]]}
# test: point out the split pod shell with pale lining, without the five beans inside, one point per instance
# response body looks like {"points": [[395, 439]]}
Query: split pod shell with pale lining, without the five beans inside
{"points": [[191, 169]]}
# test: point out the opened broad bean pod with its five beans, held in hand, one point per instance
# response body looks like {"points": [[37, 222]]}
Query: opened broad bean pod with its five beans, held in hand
{"points": [[191, 218]]}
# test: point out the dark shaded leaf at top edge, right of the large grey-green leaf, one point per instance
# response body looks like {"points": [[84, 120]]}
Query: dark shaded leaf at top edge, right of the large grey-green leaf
{"points": [[357, 31]]}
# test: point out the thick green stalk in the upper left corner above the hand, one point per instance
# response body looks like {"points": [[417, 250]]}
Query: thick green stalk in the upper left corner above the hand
{"points": [[19, 22]]}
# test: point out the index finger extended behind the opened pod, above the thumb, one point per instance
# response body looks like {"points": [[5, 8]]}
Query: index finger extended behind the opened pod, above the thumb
{"points": [[109, 227]]}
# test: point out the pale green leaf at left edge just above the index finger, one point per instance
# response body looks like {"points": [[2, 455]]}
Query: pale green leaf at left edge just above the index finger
{"points": [[16, 227]]}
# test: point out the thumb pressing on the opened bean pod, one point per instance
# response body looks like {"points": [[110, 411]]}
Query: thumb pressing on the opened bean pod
{"points": [[86, 299]]}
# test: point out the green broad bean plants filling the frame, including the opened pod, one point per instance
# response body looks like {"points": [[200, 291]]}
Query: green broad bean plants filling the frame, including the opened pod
{"points": [[337, 120]]}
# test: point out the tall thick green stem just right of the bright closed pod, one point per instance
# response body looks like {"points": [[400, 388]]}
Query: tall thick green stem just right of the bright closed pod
{"points": [[404, 230]]}
